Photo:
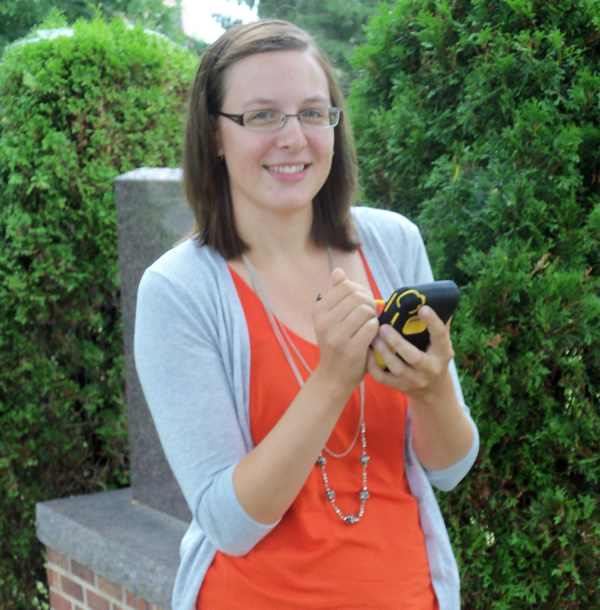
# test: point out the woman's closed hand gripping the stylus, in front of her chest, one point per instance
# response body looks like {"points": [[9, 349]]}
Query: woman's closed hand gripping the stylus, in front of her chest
{"points": [[346, 323]]}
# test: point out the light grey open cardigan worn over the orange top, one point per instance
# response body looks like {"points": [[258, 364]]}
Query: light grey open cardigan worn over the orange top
{"points": [[193, 359]]}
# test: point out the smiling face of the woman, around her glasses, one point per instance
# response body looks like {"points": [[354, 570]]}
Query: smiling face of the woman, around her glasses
{"points": [[275, 171]]}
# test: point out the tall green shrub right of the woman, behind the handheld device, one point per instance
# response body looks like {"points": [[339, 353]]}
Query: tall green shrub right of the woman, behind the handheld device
{"points": [[481, 121]]}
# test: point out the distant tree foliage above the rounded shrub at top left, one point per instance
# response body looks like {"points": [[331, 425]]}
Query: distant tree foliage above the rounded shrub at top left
{"points": [[18, 17]]}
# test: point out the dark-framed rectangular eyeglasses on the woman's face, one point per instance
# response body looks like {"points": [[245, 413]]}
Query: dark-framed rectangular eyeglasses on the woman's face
{"points": [[271, 120]]}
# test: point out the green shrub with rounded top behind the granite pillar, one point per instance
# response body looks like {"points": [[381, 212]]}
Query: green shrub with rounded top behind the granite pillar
{"points": [[77, 110]]}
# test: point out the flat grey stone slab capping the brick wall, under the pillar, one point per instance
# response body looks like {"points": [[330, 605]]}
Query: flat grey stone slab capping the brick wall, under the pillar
{"points": [[118, 537]]}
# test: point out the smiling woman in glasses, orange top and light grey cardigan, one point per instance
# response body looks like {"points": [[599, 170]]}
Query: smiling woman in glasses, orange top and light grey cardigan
{"points": [[306, 465]]}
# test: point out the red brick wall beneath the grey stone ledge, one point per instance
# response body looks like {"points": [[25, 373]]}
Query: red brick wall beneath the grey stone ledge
{"points": [[72, 586]]}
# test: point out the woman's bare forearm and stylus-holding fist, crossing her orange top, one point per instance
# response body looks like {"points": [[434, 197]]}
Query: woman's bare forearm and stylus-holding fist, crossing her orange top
{"points": [[268, 478]]}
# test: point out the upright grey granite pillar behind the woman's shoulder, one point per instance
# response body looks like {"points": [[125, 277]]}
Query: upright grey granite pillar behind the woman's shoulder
{"points": [[152, 215]]}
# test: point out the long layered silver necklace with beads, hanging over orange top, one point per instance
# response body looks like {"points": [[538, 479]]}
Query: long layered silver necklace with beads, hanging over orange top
{"points": [[280, 331]]}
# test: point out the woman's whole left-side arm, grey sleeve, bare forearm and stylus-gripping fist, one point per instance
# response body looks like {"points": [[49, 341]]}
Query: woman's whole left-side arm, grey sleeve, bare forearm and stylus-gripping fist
{"points": [[237, 492]]}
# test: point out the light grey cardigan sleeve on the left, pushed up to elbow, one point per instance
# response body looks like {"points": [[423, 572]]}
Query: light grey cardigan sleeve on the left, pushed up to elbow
{"points": [[178, 347]]}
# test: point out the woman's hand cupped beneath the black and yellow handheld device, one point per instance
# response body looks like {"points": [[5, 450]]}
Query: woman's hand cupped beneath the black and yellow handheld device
{"points": [[419, 374]]}
